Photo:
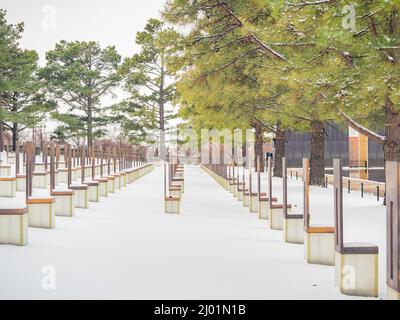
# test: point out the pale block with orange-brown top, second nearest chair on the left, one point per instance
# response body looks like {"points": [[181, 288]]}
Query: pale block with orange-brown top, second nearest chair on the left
{"points": [[42, 213]]}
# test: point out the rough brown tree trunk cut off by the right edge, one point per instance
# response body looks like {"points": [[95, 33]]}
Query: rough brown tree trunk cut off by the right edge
{"points": [[391, 144]]}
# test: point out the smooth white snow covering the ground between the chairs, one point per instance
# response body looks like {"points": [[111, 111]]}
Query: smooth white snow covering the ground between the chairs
{"points": [[125, 248]]}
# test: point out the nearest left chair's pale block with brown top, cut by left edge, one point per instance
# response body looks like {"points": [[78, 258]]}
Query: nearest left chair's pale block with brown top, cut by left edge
{"points": [[14, 226]]}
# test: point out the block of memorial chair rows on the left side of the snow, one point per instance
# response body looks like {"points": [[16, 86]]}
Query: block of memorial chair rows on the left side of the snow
{"points": [[54, 188]]}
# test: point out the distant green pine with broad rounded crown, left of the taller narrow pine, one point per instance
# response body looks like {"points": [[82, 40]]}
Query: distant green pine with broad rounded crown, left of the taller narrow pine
{"points": [[78, 75]]}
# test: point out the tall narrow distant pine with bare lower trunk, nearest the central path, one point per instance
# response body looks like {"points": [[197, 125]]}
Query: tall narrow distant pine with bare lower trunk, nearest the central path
{"points": [[148, 77]]}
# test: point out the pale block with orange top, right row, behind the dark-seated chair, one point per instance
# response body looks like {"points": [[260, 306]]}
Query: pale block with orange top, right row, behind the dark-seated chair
{"points": [[320, 247]]}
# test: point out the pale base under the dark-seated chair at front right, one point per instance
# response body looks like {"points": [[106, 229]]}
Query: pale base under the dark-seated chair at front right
{"points": [[357, 274]]}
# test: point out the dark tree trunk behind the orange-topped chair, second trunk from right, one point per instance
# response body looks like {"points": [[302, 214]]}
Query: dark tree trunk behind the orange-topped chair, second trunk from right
{"points": [[317, 154]]}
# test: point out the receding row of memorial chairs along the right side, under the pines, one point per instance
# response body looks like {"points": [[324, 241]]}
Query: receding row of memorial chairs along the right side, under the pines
{"points": [[356, 264]]}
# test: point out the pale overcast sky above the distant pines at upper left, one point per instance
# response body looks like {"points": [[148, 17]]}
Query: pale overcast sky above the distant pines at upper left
{"points": [[110, 22]]}
